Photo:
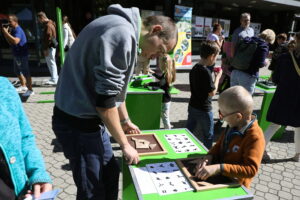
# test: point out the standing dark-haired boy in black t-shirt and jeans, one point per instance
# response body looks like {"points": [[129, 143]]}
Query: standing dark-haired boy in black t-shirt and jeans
{"points": [[203, 88]]}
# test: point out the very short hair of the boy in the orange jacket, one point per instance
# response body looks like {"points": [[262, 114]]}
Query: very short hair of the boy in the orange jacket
{"points": [[237, 99]]}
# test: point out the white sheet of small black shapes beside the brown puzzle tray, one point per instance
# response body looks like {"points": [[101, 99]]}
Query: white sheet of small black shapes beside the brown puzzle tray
{"points": [[181, 143]]}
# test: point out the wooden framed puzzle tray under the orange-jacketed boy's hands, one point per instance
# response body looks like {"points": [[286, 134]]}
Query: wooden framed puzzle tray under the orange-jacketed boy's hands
{"points": [[187, 166]]}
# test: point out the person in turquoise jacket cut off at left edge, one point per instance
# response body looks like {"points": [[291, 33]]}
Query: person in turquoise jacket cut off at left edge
{"points": [[22, 169]]}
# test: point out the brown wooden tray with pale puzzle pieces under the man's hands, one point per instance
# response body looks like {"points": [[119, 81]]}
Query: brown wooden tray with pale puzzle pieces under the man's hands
{"points": [[146, 144]]}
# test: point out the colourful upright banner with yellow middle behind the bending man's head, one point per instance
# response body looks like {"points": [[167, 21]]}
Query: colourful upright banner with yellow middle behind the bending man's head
{"points": [[182, 51]]}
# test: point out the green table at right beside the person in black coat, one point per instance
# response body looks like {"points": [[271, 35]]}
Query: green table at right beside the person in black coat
{"points": [[263, 123]]}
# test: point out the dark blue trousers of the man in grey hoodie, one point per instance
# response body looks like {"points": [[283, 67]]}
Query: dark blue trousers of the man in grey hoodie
{"points": [[95, 170]]}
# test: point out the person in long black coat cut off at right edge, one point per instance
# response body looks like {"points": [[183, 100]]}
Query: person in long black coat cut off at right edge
{"points": [[285, 106]]}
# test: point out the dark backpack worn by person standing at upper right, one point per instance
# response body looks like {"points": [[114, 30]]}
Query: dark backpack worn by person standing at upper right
{"points": [[244, 52]]}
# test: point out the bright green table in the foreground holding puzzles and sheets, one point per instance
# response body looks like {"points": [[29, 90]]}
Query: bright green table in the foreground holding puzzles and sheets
{"points": [[131, 193]]}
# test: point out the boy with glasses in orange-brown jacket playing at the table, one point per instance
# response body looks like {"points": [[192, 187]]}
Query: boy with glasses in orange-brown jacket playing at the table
{"points": [[239, 150]]}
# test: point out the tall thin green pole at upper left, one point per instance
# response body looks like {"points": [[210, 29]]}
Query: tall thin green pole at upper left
{"points": [[60, 35]]}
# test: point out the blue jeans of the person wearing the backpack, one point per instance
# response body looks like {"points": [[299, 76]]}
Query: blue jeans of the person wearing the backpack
{"points": [[244, 79]]}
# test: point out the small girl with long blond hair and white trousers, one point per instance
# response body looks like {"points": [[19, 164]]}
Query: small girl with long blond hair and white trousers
{"points": [[167, 77]]}
